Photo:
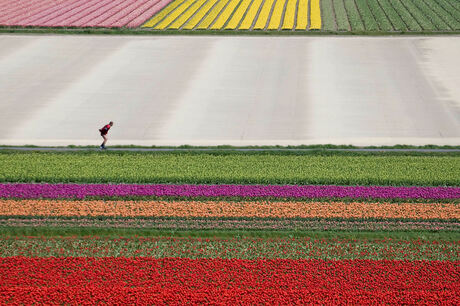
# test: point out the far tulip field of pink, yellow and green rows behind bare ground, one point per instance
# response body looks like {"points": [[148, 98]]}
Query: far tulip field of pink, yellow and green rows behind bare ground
{"points": [[357, 16]]}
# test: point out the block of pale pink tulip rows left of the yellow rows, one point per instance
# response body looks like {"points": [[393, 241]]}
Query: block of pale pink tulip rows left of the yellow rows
{"points": [[78, 13]]}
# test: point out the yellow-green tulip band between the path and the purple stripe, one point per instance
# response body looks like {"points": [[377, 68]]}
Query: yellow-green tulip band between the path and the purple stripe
{"points": [[352, 169]]}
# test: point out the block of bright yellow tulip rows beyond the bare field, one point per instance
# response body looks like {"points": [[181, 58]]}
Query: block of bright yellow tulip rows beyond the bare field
{"points": [[238, 15]]}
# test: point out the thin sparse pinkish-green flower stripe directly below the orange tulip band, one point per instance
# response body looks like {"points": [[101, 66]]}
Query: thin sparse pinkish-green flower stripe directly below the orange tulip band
{"points": [[231, 224]]}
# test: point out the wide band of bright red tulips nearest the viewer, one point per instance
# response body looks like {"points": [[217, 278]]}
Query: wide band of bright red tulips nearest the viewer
{"points": [[178, 281]]}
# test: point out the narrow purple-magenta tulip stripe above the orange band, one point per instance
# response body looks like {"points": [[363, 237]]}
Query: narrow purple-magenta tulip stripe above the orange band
{"points": [[81, 191]]}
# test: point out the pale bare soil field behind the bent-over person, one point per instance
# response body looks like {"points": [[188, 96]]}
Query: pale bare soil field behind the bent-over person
{"points": [[59, 90]]}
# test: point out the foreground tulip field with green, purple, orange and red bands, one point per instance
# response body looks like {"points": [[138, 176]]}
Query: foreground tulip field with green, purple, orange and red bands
{"points": [[225, 228]]}
